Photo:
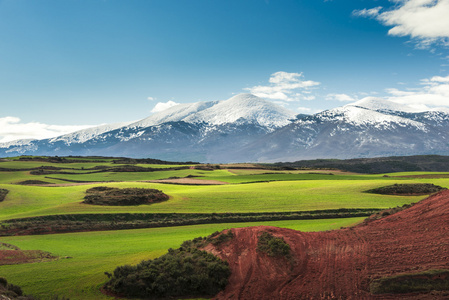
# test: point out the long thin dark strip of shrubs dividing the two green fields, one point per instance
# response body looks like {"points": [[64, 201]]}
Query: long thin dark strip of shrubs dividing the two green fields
{"points": [[85, 222]]}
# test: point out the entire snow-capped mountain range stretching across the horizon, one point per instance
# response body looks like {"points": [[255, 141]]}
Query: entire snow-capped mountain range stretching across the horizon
{"points": [[246, 128]]}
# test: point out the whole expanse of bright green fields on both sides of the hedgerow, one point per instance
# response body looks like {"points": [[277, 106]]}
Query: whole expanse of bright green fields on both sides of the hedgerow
{"points": [[248, 190]]}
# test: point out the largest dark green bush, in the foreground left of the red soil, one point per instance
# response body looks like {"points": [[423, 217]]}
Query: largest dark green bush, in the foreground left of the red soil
{"points": [[183, 272]]}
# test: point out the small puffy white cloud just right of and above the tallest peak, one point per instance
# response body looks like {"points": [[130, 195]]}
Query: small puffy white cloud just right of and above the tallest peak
{"points": [[283, 86]]}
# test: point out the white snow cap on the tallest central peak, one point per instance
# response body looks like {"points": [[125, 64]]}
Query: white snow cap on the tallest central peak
{"points": [[247, 107]]}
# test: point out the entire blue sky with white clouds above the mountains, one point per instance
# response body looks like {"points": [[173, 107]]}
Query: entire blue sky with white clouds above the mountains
{"points": [[65, 64]]}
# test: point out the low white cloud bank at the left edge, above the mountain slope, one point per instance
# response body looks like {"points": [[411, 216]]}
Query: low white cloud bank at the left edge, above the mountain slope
{"points": [[11, 128]]}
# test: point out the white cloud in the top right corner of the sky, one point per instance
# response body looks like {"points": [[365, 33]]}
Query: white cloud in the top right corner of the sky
{"points": [[427, 21]]}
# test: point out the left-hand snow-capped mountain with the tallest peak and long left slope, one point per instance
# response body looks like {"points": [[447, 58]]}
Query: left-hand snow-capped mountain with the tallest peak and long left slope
{"points": [[197, 131]]}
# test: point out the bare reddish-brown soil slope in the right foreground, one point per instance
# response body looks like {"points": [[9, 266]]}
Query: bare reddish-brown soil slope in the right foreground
{"points": [[341, 264]]}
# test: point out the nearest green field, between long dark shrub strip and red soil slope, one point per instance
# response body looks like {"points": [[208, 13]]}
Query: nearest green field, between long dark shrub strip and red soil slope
{"points": [[93, 253]]}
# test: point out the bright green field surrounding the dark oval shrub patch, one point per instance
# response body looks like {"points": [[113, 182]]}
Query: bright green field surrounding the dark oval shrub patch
{"points": [[28, 201]]}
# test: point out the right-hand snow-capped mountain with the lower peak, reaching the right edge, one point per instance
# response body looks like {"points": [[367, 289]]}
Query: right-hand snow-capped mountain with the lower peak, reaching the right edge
{"points": [[354, 131]]}
